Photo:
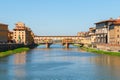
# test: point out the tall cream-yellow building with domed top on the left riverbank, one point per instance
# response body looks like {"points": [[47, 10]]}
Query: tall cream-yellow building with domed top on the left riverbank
{"points": [[23, 34]]}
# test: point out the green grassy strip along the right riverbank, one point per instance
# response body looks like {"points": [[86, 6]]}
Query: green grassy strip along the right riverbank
{"points": [[100, 51]]}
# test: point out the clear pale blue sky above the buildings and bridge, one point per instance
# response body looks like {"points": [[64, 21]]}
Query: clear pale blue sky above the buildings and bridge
{"points": [[57, 17]]}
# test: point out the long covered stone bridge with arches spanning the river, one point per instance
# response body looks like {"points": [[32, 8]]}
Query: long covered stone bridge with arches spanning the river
{"points": [[64, 40]]}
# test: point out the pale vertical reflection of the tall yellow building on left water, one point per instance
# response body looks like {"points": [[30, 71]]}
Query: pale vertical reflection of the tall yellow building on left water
{"points": [[19, 60]]}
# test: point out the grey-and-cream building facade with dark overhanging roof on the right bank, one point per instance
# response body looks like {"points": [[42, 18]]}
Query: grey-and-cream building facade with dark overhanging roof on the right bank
{"points": [[102, 31]]}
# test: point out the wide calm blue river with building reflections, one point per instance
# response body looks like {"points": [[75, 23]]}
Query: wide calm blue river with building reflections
{"points": [[58, 63]]}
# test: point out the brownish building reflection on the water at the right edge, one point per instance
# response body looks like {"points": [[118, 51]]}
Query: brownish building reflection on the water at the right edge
{"points": [[112, 63]]}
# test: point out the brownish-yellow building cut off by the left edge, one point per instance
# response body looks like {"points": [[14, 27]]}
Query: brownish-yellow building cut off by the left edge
{"points": [[3, 33]]}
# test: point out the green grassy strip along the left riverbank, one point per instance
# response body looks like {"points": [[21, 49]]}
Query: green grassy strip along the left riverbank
{"points": [[9, 52]]}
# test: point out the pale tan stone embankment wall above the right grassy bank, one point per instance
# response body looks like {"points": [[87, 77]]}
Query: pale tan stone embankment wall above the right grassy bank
{"points": [[108, 47]]}
